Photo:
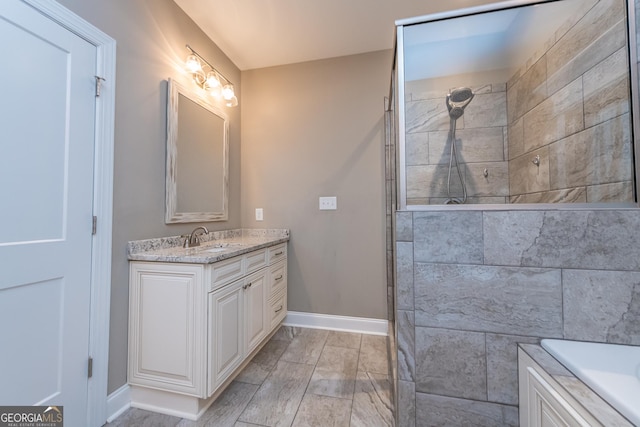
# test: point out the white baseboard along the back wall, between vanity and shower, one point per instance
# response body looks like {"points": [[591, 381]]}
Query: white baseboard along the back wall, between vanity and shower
{"points": [[361, 325]]}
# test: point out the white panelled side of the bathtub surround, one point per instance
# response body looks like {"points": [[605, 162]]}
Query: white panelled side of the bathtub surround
{"points": [[543, 402]]}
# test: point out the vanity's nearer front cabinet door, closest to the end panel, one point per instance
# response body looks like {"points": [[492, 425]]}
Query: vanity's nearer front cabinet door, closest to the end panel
{"points": [[226, 338]]}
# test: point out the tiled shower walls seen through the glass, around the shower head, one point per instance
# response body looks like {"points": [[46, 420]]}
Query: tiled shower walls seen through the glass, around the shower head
{"points": [[568, 107]]}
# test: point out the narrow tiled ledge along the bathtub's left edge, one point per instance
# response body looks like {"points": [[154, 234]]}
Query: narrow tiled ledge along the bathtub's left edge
{"points": [[590, 400]]}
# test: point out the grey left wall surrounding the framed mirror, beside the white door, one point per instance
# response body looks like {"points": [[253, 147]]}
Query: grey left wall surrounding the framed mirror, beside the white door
{"points": [[151, 37]]}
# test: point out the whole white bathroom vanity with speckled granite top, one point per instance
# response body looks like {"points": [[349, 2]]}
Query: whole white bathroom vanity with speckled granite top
{"points": [[198, 315]]}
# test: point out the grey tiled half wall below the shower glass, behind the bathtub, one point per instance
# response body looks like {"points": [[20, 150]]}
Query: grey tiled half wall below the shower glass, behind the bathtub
{"points": [[472, 284]]}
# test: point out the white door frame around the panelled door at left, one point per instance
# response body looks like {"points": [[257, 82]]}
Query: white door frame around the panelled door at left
{"points": [[102, 201]]}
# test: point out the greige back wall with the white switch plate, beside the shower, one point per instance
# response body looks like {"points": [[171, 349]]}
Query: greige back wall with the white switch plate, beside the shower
{"points": [[317, 129]]}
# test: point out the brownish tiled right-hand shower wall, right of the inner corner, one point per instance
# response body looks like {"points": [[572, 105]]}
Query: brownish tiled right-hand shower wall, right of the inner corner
{"points": [[569, 106]]}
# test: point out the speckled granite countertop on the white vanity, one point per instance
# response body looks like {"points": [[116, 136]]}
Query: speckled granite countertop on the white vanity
{"points": [[215, 246]]}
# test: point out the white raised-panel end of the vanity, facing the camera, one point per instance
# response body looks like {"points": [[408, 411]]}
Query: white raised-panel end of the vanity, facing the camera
{"points": [[166, 327]]}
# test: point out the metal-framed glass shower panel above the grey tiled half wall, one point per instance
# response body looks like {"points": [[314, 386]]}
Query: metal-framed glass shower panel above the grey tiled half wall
{"points": [[522, 102]]}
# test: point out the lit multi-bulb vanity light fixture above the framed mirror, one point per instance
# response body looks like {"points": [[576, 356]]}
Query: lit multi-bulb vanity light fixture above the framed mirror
{"points": [[210, 79]]}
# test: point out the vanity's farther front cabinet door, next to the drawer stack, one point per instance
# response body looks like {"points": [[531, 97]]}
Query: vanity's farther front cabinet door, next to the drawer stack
{"points": [[255, 300]]}
